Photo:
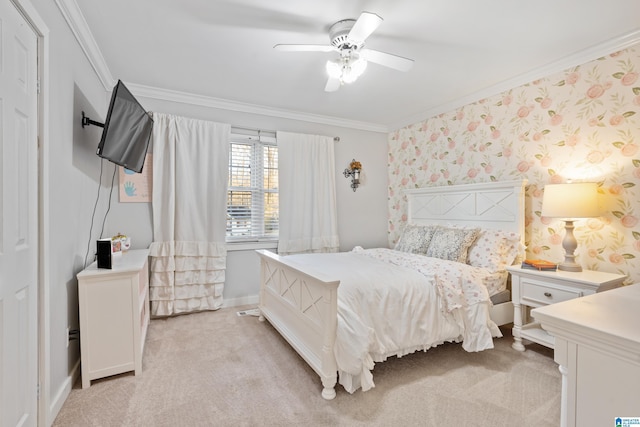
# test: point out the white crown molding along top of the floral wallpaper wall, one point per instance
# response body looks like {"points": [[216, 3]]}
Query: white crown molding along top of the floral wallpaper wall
{"points": [[581, 57]]}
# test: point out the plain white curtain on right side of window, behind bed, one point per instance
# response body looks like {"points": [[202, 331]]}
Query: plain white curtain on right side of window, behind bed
{"points": [[307, 194]]}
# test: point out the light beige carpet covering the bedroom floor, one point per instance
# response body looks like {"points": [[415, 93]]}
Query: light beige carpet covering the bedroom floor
{"points": [[220, 369]]}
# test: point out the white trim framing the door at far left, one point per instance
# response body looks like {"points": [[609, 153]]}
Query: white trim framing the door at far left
{"points": [[45, 414]]}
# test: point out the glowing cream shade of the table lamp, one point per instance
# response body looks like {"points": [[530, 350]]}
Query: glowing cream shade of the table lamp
{"points": [[575, 200]]}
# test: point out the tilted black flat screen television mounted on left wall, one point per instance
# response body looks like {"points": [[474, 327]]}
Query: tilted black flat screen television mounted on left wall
{"points": [[127, 131]]}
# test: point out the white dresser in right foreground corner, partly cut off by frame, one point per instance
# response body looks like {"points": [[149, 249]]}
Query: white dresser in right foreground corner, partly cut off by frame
{"points": [[597, 345]]}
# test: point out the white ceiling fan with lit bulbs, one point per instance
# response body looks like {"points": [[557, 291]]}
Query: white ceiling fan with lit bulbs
{"points": [[347, 38]]}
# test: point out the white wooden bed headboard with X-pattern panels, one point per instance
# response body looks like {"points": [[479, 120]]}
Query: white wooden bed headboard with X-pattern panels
{"points": [[498, 205]]}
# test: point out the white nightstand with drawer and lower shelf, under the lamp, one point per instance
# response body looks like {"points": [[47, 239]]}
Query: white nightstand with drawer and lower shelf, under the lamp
{"points": [[533, 288]]}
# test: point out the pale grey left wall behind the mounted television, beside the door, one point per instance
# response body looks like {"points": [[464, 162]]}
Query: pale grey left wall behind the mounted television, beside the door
{"points": [[69, 186]]}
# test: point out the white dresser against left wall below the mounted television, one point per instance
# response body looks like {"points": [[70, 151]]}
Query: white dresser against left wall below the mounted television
{"points": [[114, 316]]}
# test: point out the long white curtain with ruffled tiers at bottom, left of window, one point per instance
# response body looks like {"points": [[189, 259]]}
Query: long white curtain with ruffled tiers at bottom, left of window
{"points": [[188, 254]]}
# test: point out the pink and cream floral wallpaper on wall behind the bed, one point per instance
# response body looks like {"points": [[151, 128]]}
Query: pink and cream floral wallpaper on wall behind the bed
{"points": [[581, 124]]}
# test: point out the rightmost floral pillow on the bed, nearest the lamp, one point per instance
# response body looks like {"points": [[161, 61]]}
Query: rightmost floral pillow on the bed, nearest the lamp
{"points": [[494, 250]]}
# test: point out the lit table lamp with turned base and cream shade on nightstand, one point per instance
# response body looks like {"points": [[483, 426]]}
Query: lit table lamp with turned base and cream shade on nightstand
{"points": [[570, 202]]}
